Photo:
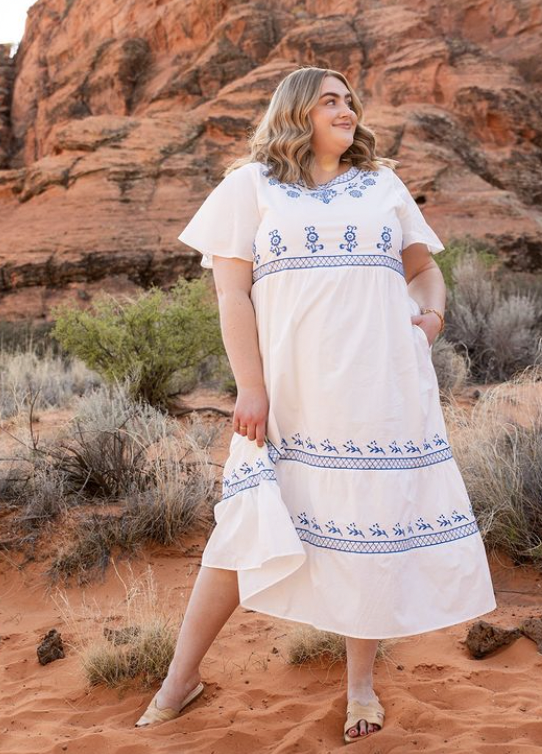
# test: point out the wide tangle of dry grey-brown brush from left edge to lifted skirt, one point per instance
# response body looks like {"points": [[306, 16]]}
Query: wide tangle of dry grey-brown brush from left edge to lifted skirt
{"points": [[119, 475]]}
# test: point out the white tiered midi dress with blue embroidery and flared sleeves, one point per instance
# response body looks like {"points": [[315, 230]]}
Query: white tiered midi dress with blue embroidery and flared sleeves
{"points": [[354, 516]]}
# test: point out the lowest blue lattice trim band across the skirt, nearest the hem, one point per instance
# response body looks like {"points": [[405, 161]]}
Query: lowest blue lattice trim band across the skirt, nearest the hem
{"points": [[383, 546]]}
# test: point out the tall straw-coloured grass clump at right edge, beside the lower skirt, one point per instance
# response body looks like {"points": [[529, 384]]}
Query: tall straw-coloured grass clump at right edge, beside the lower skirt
{"points": [[498, 449]]}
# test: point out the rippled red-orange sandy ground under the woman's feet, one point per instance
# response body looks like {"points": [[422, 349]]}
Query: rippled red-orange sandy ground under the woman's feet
{"points": [[437, 698]]}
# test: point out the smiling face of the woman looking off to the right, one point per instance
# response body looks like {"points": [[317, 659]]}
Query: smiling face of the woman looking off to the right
{"points": [[333, 119]]}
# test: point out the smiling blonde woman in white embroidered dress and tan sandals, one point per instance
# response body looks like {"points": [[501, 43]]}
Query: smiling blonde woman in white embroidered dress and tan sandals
{"points": [[342, 504]]}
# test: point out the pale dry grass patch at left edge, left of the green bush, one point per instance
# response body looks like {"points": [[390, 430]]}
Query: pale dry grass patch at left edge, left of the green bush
{"points": [[51, 379]]}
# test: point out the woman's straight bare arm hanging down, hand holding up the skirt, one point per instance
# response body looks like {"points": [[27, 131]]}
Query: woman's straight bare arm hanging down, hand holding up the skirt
{"points": [[233, 282]]}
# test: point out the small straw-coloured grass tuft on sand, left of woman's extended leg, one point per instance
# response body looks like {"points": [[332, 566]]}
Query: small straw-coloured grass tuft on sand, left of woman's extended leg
{"points": [[133, 640]]}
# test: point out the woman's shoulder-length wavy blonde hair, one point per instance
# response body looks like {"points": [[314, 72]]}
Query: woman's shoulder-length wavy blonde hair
{"points": [[282, 138]]}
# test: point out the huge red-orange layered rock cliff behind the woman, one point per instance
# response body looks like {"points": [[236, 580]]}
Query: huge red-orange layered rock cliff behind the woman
{"points": [[124, 114]]}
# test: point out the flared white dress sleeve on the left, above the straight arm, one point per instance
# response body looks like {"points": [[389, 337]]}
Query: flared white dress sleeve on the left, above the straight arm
{"points": [[227, 221]]}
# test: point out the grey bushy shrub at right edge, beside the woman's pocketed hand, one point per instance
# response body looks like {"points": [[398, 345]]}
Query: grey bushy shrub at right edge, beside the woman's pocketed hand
{"points": [[499, 330]]}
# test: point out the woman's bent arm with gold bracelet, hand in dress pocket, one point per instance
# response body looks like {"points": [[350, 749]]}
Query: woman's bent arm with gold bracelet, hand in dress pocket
{"points": [[426, 285]]}
